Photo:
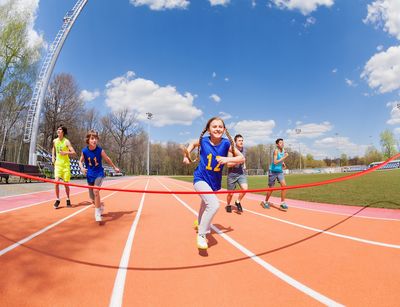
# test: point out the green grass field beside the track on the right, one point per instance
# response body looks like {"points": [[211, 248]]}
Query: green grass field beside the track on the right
{"points": [[378, 189]]}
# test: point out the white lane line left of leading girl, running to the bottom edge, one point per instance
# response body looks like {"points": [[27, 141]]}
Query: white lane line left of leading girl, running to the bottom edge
{"points": [[119, 284]]}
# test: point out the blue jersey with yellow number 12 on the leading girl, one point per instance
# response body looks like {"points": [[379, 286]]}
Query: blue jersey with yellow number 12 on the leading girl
{"points": [[209, 170]]}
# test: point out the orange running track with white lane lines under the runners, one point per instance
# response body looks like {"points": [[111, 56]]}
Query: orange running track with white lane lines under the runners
{"points": [[145, 253]]}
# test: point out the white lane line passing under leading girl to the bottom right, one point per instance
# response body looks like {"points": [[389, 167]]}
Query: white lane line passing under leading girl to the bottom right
{"points": [[286, 278]]}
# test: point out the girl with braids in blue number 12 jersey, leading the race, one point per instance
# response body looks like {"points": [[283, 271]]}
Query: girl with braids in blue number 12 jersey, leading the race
{"points": [[213, 153]]}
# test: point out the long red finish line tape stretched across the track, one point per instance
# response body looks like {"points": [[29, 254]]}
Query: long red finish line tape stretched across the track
{"points": [[299, 186]]}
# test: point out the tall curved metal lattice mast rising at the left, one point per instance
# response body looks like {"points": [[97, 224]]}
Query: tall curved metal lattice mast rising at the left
{"points": [[35, 106]]}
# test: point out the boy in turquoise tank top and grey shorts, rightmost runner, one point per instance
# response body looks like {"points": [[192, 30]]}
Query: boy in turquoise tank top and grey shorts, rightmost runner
{"points": [[276, 173]]}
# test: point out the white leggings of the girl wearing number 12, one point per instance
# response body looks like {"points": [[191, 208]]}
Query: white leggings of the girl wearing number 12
{"points": [[210, 209]]}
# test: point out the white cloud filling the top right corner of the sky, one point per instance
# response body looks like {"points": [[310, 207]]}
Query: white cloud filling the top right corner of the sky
{"points": [[386, 14]]}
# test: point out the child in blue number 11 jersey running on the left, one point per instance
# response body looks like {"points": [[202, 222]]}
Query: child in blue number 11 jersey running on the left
{"points": [[93, 155]]}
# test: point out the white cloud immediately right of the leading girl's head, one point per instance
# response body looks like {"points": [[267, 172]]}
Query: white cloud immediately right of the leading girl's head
{"points": [[254, 131]]}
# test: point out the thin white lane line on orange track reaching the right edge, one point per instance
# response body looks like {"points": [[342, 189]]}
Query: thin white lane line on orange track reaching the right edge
{"points": [[318, 230]]}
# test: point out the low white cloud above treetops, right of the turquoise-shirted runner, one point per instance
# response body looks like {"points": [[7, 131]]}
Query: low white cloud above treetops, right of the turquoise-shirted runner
{"points": [[342, 145]]}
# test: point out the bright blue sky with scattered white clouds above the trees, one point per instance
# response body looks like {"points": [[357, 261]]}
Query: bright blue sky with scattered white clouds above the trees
{"points": [[324, 75]]}
